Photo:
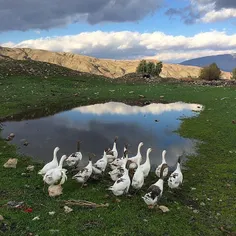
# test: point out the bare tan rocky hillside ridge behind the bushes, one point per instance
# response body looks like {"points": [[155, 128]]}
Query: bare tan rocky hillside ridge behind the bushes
{"points": [[105, 67]]}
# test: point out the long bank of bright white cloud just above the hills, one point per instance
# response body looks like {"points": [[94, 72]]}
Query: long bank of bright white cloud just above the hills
{"points": [[135, 45]]}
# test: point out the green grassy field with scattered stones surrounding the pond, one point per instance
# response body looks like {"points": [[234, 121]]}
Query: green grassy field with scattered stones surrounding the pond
{"points": [[205, 205]]}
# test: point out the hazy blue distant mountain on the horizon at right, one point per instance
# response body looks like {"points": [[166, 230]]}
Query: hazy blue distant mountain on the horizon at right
{"points": [[226, 62]]}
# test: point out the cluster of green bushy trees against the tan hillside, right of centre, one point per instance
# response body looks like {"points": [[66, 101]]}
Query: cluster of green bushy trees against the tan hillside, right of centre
{"points": [[149, 68]]}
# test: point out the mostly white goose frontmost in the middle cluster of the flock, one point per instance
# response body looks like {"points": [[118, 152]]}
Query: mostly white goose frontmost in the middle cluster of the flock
{"points": [[122, 184]]}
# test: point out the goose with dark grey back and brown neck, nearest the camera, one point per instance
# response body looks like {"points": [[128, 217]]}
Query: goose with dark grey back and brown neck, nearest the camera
{"points": [[154, 192]]}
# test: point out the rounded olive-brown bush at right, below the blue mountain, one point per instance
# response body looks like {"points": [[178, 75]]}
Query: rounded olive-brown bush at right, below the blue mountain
{"points": [[211, 72]]}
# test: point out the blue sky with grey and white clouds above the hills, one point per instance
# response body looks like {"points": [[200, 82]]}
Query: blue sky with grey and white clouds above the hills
{"points": [[166, 30]]}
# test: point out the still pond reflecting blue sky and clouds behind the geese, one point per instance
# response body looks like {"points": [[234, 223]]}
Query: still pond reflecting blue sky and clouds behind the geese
{"points": [[97, 125]]}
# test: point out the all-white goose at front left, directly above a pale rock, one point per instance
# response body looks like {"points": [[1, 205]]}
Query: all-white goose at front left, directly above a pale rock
{"points": [[52, 176]]}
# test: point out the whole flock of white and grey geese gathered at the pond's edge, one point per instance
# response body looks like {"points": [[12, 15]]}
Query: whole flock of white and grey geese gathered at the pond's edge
{"points": [[125, 171]]}
